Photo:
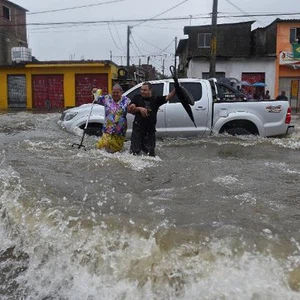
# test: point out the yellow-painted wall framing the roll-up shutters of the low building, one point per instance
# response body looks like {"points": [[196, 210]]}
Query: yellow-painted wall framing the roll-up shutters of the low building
{"points": [[68, 70]]}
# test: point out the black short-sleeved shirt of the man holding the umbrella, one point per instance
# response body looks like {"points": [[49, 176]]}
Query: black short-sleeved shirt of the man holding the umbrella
{"points": [[152, 104]]}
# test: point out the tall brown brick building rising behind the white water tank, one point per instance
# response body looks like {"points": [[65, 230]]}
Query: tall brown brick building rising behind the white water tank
{"points": [[12, 29]]}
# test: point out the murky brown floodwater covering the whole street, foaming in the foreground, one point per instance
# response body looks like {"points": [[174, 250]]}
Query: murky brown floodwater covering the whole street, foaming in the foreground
{"points": [[212, 218]]}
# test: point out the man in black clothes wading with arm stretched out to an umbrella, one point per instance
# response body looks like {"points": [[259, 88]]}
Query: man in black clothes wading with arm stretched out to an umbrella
{"points": [[145, 107]]}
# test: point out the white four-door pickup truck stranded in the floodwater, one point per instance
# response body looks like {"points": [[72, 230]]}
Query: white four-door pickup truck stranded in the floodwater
{"points": [[214, 112]]}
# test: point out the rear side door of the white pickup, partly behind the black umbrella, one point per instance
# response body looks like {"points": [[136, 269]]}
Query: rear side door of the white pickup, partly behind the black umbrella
{"points": [[178, 121]]}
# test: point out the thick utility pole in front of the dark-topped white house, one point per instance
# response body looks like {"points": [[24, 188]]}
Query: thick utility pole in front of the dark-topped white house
{"points": [[213, 43]]}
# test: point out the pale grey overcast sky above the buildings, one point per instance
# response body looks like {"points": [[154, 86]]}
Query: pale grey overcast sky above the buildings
{"points": [[156, 39]]}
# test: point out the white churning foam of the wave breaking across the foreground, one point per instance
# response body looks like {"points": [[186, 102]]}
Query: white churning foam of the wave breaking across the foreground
{"points": [[73, 258]]}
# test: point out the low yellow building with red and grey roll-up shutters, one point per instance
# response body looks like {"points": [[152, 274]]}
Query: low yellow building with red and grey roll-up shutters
{"points": [[54, 84]]}
